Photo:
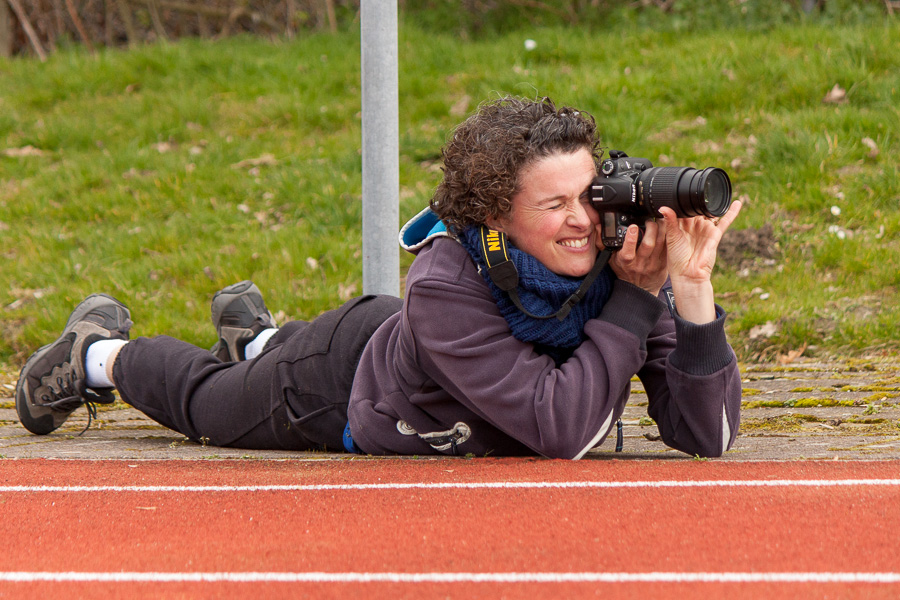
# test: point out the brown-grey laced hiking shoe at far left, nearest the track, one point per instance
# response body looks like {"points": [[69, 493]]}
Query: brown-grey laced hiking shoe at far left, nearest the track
{"points": [[53, 382]]}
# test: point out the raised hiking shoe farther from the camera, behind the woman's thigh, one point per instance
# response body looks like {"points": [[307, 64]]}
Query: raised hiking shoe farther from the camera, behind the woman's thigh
{"points": [[239, 315]]}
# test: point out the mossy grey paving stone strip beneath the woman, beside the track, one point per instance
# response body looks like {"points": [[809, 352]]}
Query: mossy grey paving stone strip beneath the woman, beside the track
{"points": [[847, 410]]}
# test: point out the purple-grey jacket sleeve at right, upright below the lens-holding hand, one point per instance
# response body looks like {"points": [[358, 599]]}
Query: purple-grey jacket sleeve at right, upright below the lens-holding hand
{"points": [[693, 384]]}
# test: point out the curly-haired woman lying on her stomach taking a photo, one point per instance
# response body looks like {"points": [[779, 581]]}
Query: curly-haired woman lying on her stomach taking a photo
{"points": [[456, 367]]}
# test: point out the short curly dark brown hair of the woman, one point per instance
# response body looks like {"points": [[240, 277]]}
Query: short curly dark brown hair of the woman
{"points": [[488, 151]]}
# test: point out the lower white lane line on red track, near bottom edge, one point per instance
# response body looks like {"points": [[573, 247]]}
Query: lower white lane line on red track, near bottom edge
{"points": [[325, 577]]}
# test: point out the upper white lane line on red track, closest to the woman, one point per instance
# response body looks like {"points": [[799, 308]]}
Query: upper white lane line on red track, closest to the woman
{"points": [[457, 485]]}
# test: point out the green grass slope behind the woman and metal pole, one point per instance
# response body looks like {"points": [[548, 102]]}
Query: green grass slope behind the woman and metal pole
{"points": [[146, 185]]}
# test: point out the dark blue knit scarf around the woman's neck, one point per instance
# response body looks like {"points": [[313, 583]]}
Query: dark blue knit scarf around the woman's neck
{"points": [[543, 292]]}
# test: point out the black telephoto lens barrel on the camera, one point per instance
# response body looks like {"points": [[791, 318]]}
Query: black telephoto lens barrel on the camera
{"points": [[689, 192]]}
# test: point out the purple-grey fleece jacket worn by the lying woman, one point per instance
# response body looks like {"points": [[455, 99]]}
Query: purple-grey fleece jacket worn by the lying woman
{"points": [[446, 376]]}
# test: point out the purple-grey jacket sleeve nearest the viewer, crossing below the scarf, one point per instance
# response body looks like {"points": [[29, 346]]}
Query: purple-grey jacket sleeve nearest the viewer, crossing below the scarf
{"points": [[460, 339]]}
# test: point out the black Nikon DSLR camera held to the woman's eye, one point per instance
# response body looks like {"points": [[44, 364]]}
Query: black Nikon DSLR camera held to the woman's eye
{"points": [[631, 190]]}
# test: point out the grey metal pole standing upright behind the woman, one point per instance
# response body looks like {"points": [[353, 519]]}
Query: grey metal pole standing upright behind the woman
{"points": [[380, 147]]}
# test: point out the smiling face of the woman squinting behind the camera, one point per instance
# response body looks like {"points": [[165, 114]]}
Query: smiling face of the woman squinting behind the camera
{"points": [[552, 218]]}
